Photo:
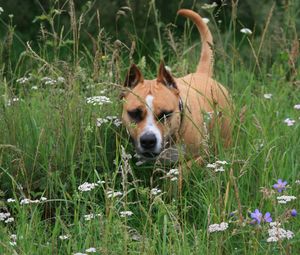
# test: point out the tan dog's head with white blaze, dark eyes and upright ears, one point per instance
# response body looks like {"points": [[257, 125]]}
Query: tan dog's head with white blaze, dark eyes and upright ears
{"points": [[151, 111]]}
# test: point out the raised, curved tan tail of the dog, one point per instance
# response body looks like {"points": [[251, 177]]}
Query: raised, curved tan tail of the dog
{"points": [[205, 64]]}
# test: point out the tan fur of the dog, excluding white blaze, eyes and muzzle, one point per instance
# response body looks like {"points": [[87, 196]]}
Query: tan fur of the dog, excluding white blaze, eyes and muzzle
{"points": [[199, 92]]}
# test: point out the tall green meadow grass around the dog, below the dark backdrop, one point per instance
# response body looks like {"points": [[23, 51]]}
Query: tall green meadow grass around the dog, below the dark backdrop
{"points": [[50, 145]]}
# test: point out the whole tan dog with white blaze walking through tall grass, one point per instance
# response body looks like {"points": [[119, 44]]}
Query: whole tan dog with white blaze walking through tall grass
{"points": [[169, 110]]}
